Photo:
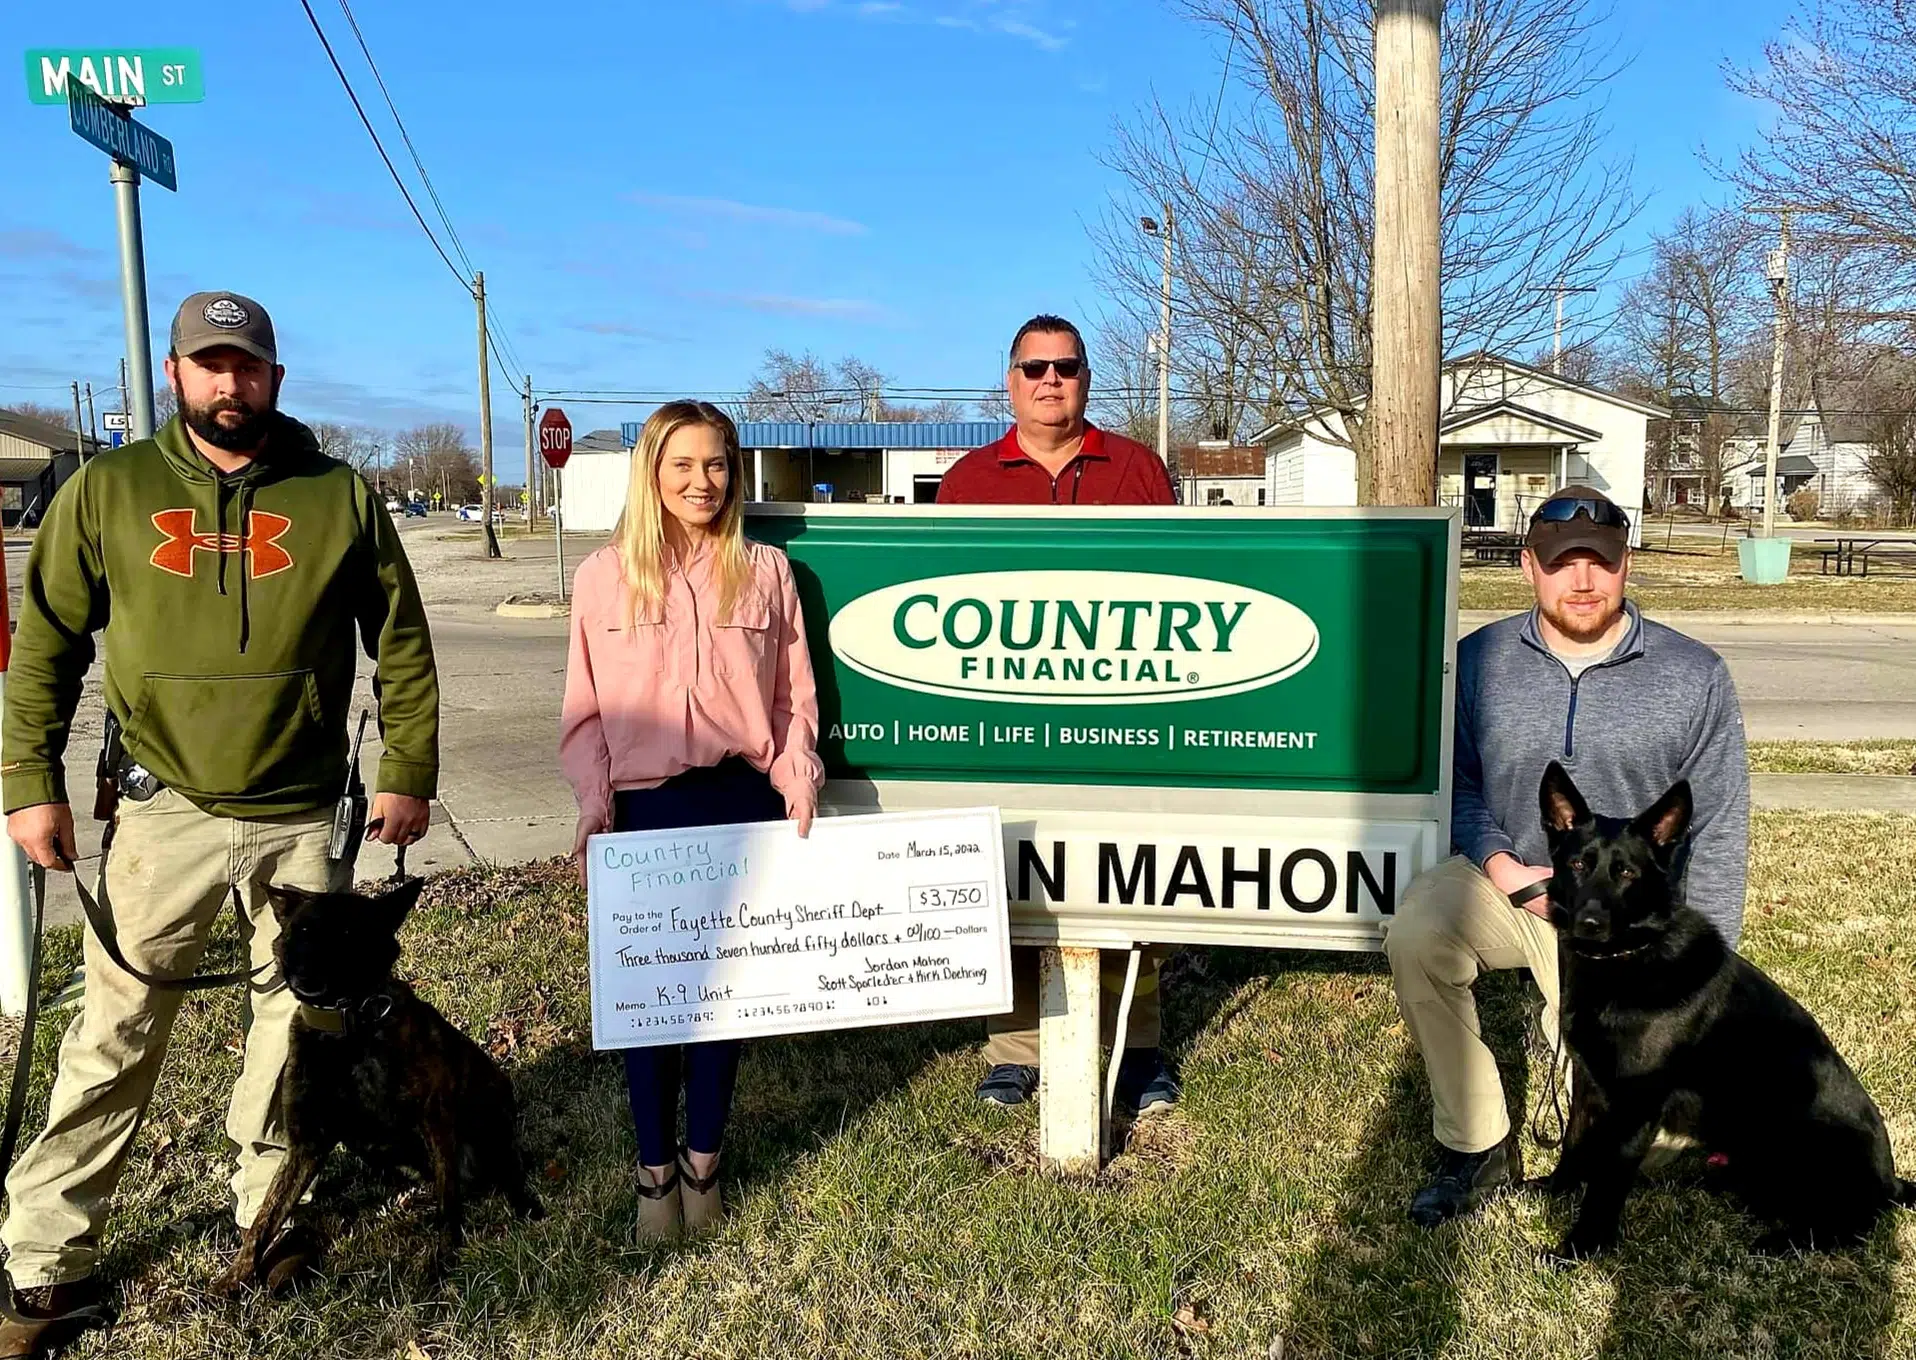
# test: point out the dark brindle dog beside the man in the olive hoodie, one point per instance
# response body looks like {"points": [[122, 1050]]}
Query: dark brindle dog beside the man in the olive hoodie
{"points": [[376, 1070]]}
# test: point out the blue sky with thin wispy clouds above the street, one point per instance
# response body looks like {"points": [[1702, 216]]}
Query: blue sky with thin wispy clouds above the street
{"points": [[658, 193]]}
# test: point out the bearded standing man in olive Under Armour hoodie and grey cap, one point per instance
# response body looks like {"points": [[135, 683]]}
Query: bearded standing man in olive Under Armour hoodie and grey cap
{"points": [[227, 564]]}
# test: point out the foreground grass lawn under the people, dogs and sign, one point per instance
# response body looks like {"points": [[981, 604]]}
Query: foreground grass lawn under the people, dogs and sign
{"points": [[880, 1212]]}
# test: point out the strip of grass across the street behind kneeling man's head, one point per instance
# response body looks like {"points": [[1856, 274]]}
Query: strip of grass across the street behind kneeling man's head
{"points": [[1708, 579]]}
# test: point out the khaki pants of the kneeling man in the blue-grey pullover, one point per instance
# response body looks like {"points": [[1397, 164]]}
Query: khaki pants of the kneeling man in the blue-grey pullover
{"points": [[1451, 928]]}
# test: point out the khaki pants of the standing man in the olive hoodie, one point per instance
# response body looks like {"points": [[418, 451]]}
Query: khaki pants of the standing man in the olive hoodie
{"points": [[170, 876]]}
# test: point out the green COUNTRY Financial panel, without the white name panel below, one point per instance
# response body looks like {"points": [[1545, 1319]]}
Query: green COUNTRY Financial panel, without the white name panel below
{"points": [[1078, 648]]}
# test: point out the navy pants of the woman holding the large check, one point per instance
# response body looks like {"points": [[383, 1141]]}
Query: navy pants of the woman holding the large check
{"points": [[727, 792]]}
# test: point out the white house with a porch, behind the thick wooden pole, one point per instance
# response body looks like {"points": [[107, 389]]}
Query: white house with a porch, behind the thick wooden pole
{"points": [[1509, 438]]}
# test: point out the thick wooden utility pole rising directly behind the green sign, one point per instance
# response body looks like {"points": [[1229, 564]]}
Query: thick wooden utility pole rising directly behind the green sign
{"points": [[1405, 296]]}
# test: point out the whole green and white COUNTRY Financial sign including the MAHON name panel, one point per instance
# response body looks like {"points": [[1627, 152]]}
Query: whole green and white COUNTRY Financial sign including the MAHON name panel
{"points": [[1227, 727]]}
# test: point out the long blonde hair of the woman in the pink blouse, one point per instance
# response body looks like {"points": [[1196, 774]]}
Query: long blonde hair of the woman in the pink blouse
{"points": [[641, 530]]}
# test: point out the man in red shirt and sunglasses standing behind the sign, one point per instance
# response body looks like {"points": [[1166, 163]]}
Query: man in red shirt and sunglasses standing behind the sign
{"points": [[1055, 457]]}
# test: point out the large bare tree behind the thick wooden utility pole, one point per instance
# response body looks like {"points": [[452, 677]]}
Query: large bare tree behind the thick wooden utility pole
{"points": [[1275, 206]]}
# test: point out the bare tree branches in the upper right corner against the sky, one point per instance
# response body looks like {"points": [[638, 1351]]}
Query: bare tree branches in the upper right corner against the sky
{"points": [[1840, 147]]}
